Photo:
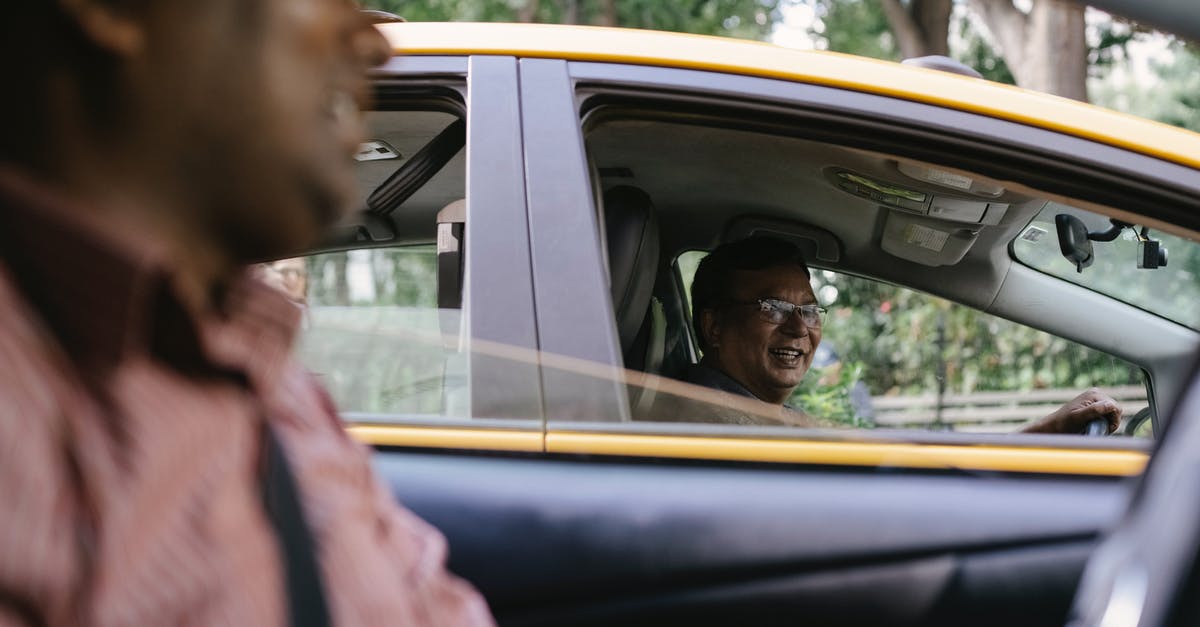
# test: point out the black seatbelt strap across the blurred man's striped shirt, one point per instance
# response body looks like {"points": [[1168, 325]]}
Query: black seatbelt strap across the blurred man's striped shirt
{"points": [[307, 598]]}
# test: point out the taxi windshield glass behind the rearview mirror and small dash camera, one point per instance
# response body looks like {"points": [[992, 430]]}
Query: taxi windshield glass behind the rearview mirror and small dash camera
{"points": [[1172, 291]]}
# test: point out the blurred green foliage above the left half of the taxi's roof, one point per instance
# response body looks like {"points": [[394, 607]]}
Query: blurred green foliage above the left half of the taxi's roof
{"points": [[736, 19]]}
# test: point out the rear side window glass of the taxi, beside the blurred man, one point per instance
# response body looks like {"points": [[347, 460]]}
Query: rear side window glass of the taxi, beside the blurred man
{"points": [[374, 332]]}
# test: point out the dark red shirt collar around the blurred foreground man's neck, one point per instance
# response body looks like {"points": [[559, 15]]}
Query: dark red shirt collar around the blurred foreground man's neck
{"points": [[107, 289]]}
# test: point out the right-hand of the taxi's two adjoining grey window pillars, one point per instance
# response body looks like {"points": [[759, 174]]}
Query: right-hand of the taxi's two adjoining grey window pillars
{"points": [[575, 312]]}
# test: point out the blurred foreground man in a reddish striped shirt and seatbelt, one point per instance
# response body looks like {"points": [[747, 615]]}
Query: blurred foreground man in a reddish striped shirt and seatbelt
{"points": [[163, 458]]}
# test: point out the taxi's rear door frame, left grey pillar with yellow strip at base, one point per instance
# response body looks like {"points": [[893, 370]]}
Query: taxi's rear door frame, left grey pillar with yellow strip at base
{"points": [[500, 324]]}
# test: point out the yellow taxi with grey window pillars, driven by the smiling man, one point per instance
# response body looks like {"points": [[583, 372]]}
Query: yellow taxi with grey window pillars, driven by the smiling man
{"points": [[508, 323]]}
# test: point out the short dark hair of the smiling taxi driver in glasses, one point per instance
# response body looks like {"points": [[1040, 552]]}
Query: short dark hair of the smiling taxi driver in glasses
{"points": [[717, 273]]}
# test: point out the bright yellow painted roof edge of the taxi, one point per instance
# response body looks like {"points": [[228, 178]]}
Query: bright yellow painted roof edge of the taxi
{"points": [[752, 58]]}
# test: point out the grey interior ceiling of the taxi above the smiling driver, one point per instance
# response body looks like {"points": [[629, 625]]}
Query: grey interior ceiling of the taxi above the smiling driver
{"points": [[699, 178]]}
